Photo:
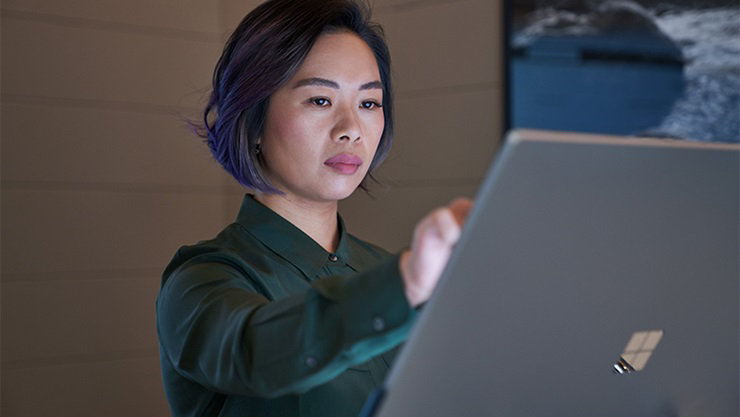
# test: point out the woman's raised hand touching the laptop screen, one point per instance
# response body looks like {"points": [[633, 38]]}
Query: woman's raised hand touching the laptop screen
{"points": [[434, 237]]}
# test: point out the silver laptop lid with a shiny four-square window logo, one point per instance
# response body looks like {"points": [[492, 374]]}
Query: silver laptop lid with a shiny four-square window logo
{"points": [[596, 276]]}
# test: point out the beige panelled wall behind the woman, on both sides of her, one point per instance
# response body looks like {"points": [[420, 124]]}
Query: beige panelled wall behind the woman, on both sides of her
{"points": [[101, 181]]}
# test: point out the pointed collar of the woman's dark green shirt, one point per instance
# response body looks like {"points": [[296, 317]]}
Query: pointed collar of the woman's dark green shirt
{"points": [[290, 242]]}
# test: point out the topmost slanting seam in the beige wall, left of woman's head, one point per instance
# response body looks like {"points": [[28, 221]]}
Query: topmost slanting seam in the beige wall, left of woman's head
{"points": [[114, 27]]}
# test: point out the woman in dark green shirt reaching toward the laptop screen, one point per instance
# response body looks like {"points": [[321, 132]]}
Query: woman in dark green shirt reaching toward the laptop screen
{"points": [[284, 313]]}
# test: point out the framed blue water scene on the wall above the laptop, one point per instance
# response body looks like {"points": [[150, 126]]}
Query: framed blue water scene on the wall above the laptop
{"points": [[656, 68]]}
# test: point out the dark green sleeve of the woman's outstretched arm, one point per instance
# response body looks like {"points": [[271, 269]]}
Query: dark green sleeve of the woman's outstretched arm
{"points": [[218, 331]]}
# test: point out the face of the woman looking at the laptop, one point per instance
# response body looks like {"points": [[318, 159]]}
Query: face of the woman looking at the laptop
{"points": [[324, 125]]}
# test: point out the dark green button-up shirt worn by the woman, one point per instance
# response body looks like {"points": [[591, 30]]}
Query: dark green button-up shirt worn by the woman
{"points": [[262, 321]]}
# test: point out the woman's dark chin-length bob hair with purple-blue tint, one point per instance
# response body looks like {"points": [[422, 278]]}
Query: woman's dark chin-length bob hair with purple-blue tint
{"points": [[263, 53]]}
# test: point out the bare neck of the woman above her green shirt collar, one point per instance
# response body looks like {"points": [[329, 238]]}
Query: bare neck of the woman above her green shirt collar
{"points": [[317, 220]]}
